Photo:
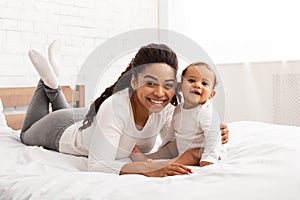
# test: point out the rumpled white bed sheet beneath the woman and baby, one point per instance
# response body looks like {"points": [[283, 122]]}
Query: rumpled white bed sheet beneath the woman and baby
{"points": [[263, 163]]}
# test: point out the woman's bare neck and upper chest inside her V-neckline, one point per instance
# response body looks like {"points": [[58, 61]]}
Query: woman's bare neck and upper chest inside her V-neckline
{"points": [[140, 113]]}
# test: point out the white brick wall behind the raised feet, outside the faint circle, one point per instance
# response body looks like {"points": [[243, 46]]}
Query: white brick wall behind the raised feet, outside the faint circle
{"points": [[80, 25]]}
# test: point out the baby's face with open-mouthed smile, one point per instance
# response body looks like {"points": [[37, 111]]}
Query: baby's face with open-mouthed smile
{"points": [[197, 85]]}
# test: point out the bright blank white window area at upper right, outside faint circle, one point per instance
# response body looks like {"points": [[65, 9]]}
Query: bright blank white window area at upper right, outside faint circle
{"points": [[240, 31]]}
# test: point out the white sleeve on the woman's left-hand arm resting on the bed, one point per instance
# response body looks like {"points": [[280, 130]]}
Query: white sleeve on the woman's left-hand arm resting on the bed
{"points": [[105, 140]]}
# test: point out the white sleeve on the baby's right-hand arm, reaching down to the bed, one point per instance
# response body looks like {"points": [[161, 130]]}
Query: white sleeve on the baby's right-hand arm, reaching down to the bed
{"points": [[210, 124]]}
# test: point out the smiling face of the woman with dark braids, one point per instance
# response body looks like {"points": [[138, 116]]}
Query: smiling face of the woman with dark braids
{"points": [[155, 86]]}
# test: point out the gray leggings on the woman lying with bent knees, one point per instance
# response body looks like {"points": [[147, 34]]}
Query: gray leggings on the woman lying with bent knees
{"points": [[43, 128]]}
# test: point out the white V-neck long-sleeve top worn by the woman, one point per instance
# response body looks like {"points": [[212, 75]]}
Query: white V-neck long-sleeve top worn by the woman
{"points": [[113, 134]]}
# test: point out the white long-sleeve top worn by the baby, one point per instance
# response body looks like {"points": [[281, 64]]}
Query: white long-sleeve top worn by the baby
{"points": [[198, 127]]}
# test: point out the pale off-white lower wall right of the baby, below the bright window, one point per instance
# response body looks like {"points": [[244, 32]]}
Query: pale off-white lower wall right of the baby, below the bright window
{"points": [[262, 91]]}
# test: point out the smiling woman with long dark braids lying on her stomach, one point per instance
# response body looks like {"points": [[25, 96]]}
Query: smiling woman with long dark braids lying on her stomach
{"points": [[133, 112]]}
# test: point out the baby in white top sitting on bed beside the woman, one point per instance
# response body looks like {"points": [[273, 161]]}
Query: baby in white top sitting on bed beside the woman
{"points": [[195, 122]]}
